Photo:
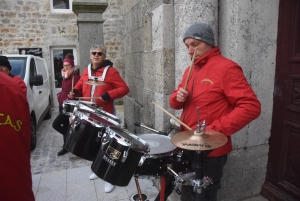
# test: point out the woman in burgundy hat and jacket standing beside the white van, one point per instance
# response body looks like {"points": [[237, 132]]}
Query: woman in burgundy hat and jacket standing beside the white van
{"points": [[70, 76]]}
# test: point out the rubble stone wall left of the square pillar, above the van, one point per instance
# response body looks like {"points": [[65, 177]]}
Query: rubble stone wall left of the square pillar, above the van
{"points": [[29, 23]]}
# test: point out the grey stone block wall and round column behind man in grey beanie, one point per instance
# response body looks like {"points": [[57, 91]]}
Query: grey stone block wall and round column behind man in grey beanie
{"points": [[246, 33]]}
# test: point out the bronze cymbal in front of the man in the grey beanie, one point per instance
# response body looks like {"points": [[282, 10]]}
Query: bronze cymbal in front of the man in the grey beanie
{"points": [[208, 140]]}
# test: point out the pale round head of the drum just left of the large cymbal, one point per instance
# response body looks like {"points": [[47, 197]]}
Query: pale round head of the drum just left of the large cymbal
{"points": [[158, 143]]}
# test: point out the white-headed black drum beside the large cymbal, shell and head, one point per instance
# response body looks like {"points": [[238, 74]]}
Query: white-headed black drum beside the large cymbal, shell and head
{"points": [[155, 163]]}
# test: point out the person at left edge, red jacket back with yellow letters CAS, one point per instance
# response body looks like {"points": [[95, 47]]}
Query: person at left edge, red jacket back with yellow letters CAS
{"points": [[15, 135]]}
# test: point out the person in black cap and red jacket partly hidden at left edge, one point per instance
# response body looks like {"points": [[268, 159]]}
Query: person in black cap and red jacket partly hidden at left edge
{"points": [[5, 68]]}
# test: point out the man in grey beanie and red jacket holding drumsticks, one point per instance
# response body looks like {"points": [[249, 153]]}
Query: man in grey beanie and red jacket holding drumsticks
{"points": [[218, 87]]}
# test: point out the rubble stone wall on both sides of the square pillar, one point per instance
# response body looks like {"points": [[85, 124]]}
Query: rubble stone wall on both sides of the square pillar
{"points": [[31, 24]]}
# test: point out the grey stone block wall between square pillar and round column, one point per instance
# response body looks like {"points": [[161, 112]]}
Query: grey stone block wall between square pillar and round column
{"points": [[149, 61]]}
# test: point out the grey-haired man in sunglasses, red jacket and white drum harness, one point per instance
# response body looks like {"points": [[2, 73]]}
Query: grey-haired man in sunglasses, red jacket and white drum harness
{"points": [[115, 86]]}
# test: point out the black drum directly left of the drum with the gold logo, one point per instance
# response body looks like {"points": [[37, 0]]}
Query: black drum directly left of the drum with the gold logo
{"points": [[84, 135]]}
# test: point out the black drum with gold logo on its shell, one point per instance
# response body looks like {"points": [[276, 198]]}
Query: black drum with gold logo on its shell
{"points": [[119, 156]]}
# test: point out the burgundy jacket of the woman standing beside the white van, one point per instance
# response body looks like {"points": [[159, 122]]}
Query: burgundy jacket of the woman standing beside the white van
{"points": [[67, 87]]}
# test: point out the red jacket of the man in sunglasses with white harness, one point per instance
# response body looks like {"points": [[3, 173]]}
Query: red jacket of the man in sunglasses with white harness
{"points": [[115, 87]]}
